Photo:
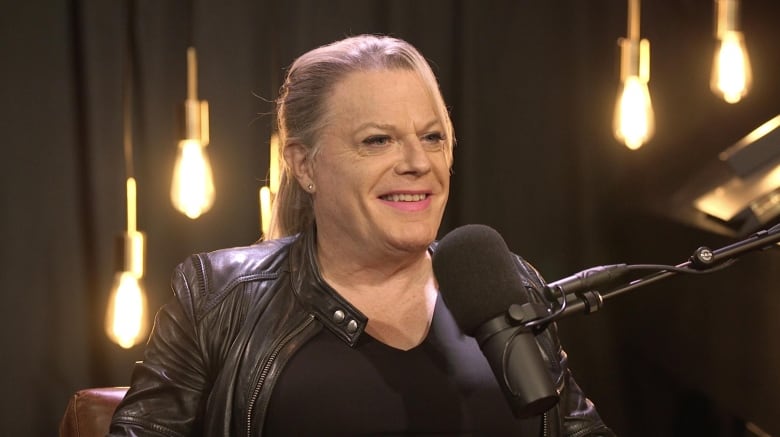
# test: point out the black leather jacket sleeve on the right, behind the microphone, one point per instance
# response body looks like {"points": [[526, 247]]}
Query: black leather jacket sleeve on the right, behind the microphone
{"points": [[575, 414]]}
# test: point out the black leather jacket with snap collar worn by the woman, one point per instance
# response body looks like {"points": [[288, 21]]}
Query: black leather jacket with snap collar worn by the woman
{"points": [[239, 315]]}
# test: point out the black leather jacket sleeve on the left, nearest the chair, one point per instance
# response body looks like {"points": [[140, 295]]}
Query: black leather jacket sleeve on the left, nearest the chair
{"points": [[166, 394]]}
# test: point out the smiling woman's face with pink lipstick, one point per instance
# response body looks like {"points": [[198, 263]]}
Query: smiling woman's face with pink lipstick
{"points": [[381, 172]]}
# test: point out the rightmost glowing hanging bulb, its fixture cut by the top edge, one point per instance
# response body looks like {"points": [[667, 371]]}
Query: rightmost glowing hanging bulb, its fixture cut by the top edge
{"points": [[731, 73]]}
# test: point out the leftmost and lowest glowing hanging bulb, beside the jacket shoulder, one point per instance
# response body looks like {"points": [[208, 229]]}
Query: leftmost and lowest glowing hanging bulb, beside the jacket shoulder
{"points": [[126, 317]]}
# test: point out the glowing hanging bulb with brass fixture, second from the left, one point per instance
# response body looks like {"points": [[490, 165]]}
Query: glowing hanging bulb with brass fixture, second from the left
{"points": [[192, 188]]}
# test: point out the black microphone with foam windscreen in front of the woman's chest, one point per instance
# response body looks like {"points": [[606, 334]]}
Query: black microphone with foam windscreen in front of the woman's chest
{"points": [[481, 285]]}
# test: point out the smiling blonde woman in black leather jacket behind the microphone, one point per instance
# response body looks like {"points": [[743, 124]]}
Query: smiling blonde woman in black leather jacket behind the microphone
{"points": [[334, 326]]}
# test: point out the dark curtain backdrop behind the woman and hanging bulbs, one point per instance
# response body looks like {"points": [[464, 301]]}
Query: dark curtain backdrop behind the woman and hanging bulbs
{"points": [[531, 86]]}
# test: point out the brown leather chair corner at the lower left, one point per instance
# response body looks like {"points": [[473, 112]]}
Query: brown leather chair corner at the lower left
{"points": [[89, 411]]}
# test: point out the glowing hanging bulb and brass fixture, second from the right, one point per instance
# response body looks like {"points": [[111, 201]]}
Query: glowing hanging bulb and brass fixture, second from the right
{"points": [[634, 120]]}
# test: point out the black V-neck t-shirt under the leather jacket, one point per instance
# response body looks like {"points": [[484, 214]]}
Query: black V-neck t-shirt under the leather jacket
{"points": [[444, 386]]}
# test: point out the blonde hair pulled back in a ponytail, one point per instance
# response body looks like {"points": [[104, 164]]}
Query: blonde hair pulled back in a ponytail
{"points": [[301, 105]]}
